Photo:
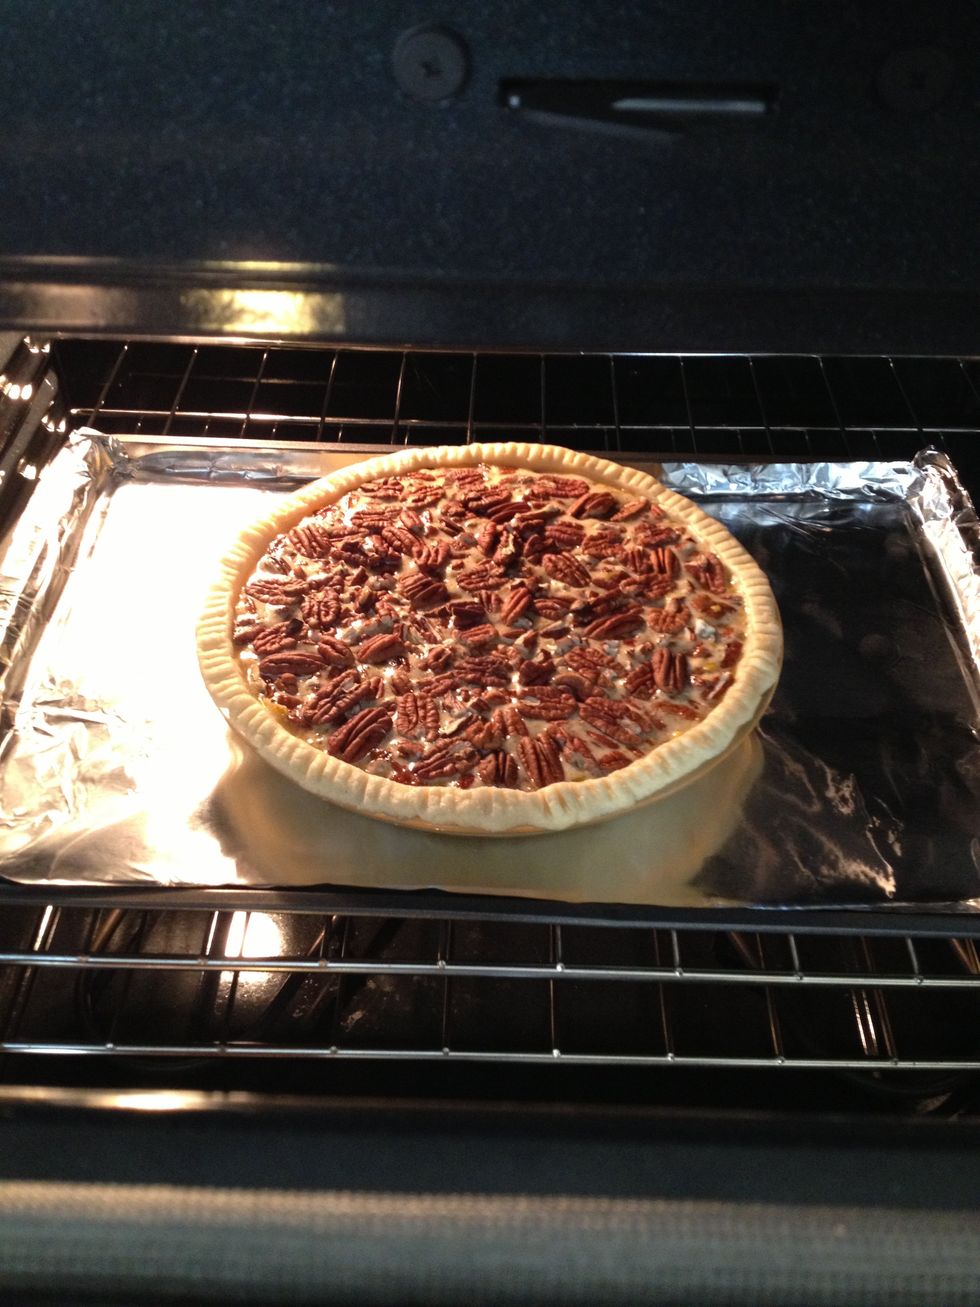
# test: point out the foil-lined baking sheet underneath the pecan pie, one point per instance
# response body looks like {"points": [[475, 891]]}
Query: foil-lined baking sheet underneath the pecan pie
{"points": [[860, 789]]}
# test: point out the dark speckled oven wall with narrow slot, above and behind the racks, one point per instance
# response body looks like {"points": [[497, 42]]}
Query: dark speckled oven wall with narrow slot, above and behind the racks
{"points": [[691, 177]]}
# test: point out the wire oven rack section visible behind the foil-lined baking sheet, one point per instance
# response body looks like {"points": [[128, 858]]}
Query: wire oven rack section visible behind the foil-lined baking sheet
{"points": [[671, 406]]}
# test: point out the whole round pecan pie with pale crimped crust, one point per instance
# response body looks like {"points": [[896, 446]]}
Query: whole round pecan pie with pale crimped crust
{"points": [[497, 638]]}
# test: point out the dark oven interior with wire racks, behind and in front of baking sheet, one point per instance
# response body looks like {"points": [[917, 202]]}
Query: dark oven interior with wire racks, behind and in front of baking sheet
{"points": [[348, 997]]}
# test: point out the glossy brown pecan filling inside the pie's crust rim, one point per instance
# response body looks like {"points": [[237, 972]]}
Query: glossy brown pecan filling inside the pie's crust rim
{"points": [[489, 627]]}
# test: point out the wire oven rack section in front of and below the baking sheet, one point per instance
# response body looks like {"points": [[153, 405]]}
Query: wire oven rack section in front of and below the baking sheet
{"points": [[198, 984]]}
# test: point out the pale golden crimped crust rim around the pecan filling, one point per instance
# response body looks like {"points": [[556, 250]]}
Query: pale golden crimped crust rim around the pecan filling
{"points": [[491, 810]]}
